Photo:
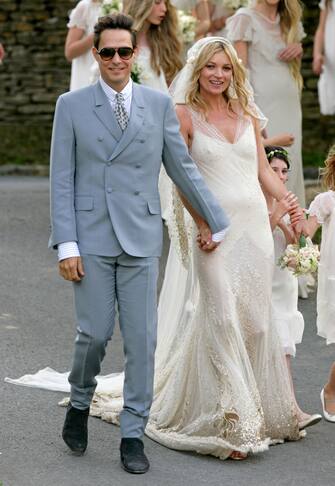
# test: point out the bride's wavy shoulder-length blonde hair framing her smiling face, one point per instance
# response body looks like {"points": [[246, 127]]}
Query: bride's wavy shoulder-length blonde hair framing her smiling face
{"points": [[193, 96]]}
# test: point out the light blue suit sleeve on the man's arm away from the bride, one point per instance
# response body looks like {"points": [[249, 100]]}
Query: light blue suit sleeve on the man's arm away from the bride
{"points": [[62, 172]]}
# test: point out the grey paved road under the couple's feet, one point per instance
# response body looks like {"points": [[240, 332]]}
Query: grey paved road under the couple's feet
{"points": [[36, 330]]}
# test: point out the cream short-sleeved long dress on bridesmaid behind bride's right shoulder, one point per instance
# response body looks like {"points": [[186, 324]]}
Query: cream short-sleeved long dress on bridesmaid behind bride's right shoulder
{"points": [[276, 92]]}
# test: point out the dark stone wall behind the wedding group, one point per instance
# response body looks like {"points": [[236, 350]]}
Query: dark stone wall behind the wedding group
{"points": [[35, 72]]}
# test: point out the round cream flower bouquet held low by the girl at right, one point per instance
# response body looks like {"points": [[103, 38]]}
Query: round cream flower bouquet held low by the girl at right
{"points": [[301, 258]]}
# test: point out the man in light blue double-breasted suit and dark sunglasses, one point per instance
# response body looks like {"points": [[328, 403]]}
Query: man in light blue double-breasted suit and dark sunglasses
{"points": [[109, 141]]}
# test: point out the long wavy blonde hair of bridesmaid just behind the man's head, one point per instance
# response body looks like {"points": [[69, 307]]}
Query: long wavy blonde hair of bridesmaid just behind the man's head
{"points": [[163, 39]]}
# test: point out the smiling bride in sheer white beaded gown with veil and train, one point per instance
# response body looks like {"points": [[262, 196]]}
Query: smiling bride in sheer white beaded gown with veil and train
{"points": [[221, 382]]}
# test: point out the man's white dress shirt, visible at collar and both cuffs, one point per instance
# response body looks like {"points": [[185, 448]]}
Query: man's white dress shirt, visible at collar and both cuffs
{"points": [[70, 249]]}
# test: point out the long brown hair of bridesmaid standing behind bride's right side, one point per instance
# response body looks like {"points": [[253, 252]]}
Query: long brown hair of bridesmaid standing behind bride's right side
{"points": [[290, 13]]}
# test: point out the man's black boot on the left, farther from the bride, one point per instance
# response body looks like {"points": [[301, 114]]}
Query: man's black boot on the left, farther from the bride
{"points": [[75, 429]]}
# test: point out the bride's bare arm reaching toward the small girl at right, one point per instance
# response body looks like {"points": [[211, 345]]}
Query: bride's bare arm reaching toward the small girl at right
{"points": [[270, 181]]}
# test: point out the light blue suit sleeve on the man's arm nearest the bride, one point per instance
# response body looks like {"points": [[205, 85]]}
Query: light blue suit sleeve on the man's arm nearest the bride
{"points": [[182, 170]]}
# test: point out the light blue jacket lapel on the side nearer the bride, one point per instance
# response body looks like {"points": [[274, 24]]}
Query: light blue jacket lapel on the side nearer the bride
{"points": [[134, 124]]}
